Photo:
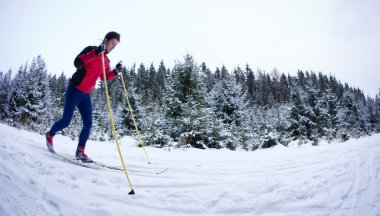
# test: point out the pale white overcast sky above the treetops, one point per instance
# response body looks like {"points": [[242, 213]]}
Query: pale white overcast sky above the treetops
{"points": [[338, 37]]}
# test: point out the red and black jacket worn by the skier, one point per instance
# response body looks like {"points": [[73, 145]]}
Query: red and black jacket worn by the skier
{"points": [[89, 69]]}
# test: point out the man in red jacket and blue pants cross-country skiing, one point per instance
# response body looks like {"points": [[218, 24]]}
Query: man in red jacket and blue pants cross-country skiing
{"points": [[89, 69]]}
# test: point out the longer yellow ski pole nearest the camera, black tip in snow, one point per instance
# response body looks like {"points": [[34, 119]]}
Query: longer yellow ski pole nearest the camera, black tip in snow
{"points": [[113, 126]]}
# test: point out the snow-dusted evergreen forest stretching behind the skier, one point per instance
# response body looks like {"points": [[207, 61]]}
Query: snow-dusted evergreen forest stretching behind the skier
{"points": [[190, 105]]}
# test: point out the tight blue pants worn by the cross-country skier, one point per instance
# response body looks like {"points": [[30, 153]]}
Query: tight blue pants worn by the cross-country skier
{"points": [[75, 98]]}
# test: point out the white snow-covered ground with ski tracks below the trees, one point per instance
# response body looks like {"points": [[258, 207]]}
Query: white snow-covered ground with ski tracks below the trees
{"points": [[331, 179]]}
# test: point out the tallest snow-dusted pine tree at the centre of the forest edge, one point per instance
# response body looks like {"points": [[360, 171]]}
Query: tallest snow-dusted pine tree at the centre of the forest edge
{"points": [[185, 102]]}
